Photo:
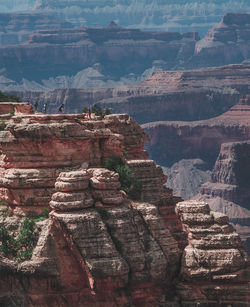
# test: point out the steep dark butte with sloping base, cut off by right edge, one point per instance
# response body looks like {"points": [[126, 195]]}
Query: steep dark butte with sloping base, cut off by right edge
{"points": [[228, 191]]}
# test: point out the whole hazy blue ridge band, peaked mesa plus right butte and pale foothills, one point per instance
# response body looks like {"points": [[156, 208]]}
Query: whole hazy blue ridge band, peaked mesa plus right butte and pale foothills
{"points": [[111, 56]]}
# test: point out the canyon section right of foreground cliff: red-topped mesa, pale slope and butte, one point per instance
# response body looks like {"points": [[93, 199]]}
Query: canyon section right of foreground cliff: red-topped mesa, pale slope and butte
{"points": [[220, 145]]}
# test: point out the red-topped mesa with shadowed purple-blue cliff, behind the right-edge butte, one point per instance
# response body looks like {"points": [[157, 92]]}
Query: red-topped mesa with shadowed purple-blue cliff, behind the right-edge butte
{"points": [[173, 141]]}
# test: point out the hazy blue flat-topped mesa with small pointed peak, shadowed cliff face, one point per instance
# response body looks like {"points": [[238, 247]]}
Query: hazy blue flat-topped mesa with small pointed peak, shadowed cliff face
{"points": [[118, 51]]}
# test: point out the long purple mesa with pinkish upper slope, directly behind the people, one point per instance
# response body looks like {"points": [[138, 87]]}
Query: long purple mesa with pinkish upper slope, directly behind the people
{"points": [[169, 95]]}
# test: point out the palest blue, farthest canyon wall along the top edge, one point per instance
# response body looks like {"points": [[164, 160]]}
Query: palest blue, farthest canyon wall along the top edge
{"points": [[179, 15]]}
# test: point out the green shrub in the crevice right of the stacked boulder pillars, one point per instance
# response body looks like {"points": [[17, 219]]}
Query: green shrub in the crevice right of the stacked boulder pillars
{"points": [[129, 183]]}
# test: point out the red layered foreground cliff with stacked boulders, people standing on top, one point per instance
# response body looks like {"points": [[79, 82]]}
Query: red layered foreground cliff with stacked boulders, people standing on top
{"points": [[98, 246]]}
